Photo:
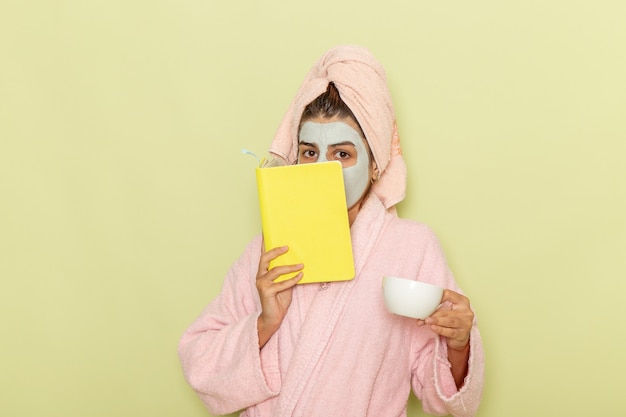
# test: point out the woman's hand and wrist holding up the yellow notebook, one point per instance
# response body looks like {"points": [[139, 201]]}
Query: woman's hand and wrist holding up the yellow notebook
{"points": [[275, 296]]}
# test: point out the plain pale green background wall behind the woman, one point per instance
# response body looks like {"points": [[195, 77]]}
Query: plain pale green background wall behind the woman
{"points": [[125, 197]]}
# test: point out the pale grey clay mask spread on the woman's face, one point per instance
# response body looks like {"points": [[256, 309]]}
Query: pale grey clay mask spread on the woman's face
{"points": [[356, 178]]}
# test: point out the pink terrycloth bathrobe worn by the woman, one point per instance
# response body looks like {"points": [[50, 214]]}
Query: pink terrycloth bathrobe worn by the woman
{"points": [[338, 352]]}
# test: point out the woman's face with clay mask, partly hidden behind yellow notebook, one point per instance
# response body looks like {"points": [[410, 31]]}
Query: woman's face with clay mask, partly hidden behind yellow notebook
{"points": [[338, 139]]}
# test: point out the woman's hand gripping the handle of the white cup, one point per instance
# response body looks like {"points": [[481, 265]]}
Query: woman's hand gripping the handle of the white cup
{"points": [[455, 323]]}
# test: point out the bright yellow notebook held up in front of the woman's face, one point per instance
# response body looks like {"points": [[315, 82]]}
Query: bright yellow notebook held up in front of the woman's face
{"points": [[304, 207]]}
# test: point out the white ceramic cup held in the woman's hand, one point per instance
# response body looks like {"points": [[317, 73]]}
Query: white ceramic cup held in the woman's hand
{"points": [[411, 298]]}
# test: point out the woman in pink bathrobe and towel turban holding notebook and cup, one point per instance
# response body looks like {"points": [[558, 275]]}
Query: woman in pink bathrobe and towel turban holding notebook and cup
{"points": [[281, 349]]}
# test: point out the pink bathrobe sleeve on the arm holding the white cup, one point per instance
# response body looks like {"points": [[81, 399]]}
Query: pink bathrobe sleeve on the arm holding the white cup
{"points": [[431, 378]]}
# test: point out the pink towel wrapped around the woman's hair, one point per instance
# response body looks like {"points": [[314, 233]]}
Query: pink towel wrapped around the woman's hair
{"points": [[362, 85]]}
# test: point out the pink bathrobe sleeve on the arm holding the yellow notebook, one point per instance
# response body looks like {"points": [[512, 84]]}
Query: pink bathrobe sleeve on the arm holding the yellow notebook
{"points": [[219, 352]]}
